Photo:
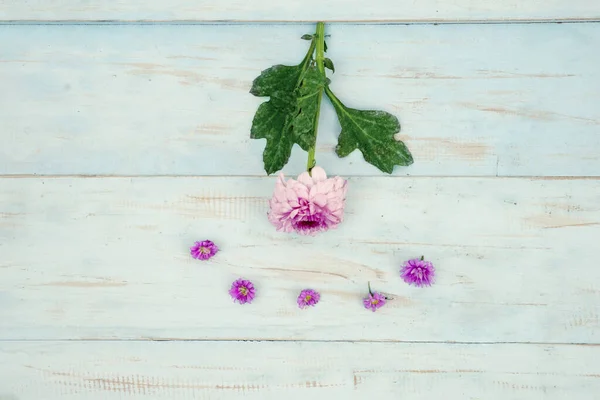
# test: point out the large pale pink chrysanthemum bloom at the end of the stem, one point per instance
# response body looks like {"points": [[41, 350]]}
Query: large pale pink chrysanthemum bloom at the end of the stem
{"points": [[311, 204]]}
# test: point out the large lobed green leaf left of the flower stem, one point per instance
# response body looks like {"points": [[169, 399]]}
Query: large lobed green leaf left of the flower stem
{"points": [[289, 116]]}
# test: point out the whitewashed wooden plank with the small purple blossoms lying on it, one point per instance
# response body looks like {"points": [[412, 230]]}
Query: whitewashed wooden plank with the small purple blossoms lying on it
{"points": [[108, 258]]}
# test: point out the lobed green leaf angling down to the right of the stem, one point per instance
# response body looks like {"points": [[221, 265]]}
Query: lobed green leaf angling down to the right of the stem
{"points": [[372, 132]]}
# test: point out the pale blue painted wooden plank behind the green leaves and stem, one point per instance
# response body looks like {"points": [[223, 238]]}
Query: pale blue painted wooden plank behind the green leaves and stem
{"points": [[508, 100]]}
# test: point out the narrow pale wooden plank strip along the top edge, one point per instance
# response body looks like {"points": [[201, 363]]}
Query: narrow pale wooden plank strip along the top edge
{"points": [[301, 10]]}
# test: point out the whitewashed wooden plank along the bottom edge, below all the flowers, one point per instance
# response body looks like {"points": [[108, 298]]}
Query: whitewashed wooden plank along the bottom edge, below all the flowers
{"points": [[292, 370]]}
